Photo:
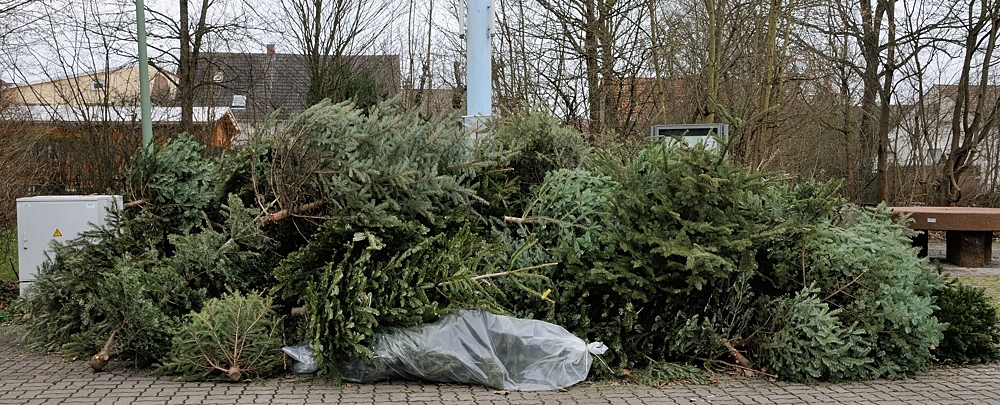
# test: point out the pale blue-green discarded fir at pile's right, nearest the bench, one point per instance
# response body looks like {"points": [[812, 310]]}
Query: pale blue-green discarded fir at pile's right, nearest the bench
{"points": [[862, 263]]}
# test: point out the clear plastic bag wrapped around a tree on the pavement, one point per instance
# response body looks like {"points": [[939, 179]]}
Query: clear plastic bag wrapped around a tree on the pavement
{"points": [[477, 347]]}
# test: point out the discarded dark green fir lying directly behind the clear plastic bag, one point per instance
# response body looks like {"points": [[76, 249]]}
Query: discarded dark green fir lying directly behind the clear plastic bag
{"points": [[353, 281]]}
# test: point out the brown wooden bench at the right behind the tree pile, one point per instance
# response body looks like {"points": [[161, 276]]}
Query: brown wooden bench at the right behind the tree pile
{"points": [[968, 231]]}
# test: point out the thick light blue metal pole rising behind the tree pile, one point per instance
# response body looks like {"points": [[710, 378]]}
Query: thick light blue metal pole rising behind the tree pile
{"points": [[479, 68]]}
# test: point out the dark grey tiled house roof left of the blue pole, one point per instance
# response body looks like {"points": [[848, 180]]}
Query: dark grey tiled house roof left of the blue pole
{"points": [[271, 81]]}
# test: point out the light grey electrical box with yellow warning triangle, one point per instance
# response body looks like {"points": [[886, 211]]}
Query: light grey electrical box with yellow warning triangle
{"points": [[42, 219]]}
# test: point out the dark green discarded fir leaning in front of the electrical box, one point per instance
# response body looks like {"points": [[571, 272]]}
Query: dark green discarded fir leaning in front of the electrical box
{"points": [[90, 291]]}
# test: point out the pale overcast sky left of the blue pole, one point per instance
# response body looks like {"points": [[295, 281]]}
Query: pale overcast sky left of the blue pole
{"points": [[49, 40]]}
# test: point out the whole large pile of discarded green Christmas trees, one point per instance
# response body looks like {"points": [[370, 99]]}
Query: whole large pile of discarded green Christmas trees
{"points": [[367, 221]]}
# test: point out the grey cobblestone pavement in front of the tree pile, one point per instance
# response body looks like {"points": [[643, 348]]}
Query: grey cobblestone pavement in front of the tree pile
{"points": [[32, 378]]}
